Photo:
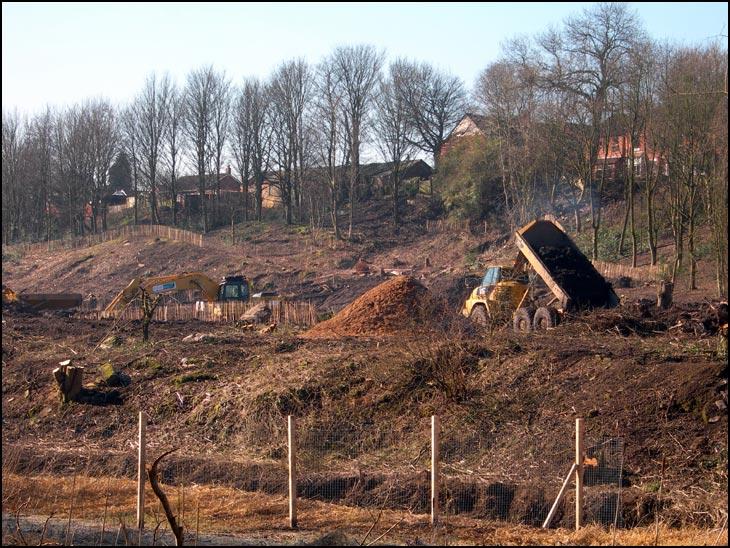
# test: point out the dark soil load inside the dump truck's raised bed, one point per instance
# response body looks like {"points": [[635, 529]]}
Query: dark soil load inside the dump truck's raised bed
{"points": [[576, 275]]}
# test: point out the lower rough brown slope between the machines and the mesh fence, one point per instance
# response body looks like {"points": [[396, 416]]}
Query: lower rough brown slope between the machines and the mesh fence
{"points": [[502, 400]]}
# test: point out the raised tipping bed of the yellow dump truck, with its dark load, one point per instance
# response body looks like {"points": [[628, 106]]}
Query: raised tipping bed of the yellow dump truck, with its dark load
{"points": [[563, 267]]}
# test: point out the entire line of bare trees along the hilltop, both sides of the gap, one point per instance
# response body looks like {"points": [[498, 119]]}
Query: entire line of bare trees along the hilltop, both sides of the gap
{"points": [[551, 107]]}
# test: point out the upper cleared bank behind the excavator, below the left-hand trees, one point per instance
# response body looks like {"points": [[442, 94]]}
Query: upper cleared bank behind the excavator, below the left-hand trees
{"points": [[296, 261]]}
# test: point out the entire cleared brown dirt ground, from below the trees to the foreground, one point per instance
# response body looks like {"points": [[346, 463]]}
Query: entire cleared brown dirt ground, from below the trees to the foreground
{"points": [[507, 402]]}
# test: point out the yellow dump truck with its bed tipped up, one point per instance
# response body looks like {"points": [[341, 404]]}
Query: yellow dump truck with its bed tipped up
{"points": [[547, 254]]}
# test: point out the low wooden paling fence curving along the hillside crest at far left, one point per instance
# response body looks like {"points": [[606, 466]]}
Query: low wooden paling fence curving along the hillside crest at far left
{"points": [[159, 231]]}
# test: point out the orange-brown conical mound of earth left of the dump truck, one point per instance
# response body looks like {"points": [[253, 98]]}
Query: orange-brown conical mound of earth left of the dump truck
{"points": [[387, 309]]}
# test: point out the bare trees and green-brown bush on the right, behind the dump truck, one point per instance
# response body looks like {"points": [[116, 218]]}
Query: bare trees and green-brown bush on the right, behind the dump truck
{"points": [[558, 105]]}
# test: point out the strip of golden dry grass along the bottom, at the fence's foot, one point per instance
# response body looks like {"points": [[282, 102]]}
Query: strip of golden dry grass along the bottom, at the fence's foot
{"points": [[223, 509]]}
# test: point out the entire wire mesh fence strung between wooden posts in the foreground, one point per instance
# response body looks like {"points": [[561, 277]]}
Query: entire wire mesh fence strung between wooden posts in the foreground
{"points": [[91, 490]]}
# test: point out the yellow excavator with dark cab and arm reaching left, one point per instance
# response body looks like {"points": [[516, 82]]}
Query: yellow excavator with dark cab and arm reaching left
{"points": [[231, 288]]}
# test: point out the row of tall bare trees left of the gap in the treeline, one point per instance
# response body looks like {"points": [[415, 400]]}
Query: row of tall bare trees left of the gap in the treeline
{"points": [[302, 129]]}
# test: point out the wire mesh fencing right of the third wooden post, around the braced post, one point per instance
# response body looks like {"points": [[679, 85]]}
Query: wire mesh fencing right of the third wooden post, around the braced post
{"points": [[523, 488]]}
